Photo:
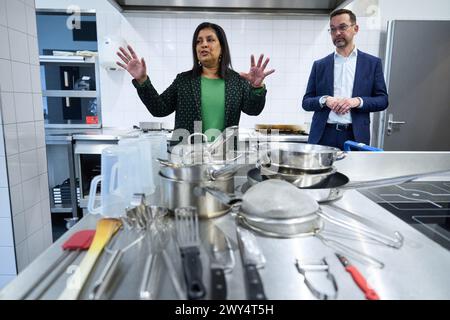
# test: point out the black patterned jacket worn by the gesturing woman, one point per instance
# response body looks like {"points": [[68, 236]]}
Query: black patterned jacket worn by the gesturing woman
{"points": [[183, 97]]}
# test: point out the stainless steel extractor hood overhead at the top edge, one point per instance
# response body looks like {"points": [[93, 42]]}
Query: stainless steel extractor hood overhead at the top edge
{"points": [[250, 6]]}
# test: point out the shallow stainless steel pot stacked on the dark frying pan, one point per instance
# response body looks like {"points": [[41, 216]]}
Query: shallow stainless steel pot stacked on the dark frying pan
{"points": [[310, 157]]}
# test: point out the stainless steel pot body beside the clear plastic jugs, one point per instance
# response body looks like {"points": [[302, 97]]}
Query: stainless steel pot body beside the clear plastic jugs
{"points": [[178, 193]]}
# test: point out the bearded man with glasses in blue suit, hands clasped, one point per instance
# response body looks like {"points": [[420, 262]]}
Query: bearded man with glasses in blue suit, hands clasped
{"points": [[344, 87]]}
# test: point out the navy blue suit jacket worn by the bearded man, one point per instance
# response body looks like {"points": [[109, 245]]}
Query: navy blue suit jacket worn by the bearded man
{"points": [[369, 85]]}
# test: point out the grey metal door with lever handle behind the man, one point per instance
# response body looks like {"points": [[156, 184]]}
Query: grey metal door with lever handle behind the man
{"points": [[418, 79]]}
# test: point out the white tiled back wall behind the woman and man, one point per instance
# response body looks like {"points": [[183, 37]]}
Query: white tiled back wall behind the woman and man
{"points": [[164, 40]]}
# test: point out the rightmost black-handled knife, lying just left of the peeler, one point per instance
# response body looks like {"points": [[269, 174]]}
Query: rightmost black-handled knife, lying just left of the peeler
{"points": [[252, 260]]}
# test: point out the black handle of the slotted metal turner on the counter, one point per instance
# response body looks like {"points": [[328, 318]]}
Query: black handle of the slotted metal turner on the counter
{"points": [[192, 267]]}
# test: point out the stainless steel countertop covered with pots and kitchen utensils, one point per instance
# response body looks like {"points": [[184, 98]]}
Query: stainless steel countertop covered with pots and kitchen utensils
{"points": [[418, 270]]}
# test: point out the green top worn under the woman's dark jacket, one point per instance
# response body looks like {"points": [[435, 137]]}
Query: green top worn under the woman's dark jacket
{"points": [[213, 105]]}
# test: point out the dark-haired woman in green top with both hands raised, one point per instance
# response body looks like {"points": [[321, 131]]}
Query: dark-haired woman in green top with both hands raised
{"points": [[211, 93]]}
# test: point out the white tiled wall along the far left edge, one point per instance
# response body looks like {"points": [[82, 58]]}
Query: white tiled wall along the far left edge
{"points": [[24, 202]]}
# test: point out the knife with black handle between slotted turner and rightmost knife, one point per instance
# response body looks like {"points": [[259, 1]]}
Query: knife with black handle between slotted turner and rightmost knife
{"points": [[222, 261]]}
